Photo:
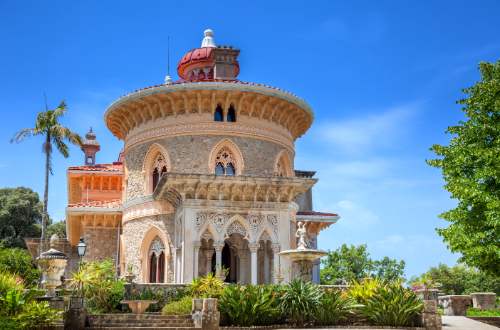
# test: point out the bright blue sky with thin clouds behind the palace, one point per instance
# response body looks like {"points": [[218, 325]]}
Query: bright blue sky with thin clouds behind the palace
{"points": [[382, 77]]}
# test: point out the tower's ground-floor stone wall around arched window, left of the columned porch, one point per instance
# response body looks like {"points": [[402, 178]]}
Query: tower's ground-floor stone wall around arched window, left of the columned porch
{"points": [[134, 232]]}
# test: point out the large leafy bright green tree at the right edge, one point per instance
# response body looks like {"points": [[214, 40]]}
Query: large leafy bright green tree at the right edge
{"points": [[471, 169]]}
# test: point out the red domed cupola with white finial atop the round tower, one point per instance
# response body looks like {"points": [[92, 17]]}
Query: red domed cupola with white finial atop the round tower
{"points": [[210, 62]]}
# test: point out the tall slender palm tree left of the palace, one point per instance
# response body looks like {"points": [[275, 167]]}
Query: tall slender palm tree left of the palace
{"points": [[47, 124]]}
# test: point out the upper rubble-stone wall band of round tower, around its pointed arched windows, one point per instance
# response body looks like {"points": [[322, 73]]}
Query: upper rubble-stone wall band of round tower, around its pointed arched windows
{"points": [[190, 154]]}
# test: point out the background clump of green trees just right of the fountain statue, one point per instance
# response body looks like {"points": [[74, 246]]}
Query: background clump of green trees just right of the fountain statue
{"points": [[353, 263]]}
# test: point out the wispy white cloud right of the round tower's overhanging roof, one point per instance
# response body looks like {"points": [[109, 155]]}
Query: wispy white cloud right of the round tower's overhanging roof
{"points": [[360, 134]]}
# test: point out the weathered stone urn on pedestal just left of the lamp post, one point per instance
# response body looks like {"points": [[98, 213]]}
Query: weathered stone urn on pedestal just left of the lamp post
{"points": [[52, 263]]}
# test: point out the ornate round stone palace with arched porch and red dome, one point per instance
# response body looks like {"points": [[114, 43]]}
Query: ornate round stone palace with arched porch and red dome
{"points": [[205, 182]]}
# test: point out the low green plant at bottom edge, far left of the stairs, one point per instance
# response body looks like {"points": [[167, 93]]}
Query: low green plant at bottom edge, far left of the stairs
{"points": [[36, 315]]}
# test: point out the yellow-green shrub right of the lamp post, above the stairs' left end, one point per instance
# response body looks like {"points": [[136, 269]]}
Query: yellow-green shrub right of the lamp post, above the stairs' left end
{"points": [[102, 291]]}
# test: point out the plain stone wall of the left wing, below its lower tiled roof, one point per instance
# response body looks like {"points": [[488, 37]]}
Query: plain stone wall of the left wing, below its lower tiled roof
{"points": [[102, 243]]}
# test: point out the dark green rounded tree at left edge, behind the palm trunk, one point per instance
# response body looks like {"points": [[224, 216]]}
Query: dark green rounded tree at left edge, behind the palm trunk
{"points": [[20, 216]]}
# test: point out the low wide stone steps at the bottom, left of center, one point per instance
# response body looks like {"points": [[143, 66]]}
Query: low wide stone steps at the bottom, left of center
{"points": [[141, 321]]}
